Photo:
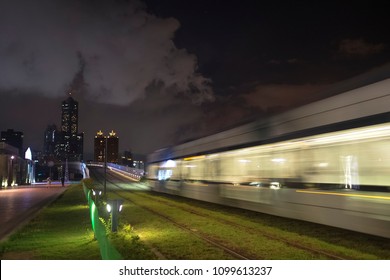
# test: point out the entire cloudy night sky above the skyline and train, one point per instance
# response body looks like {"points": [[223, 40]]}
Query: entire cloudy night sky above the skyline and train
{"points": [[162, 72]]}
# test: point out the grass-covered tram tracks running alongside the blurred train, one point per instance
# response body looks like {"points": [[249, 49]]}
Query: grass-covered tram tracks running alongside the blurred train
{"points": [[194, 212]]}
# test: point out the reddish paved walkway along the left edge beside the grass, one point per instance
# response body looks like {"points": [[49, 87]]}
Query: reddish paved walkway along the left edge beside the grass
{"points": [[20, 204]]}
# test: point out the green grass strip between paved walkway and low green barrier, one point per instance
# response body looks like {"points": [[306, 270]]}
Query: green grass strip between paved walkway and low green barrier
{"points": [[61, 231]]}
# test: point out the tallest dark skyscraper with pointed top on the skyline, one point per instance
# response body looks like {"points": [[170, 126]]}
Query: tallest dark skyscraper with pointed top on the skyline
{"points": [[70, 145]]}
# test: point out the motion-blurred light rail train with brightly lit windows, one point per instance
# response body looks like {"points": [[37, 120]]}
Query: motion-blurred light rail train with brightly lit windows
{"points": [[327, 162]]}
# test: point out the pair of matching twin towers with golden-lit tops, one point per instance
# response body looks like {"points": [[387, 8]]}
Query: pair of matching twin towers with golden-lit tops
{"points": [[101, 142]]}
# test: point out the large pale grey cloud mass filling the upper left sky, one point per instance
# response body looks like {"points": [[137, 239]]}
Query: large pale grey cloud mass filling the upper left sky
{"points": [[124, 49]]}
